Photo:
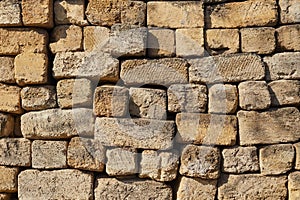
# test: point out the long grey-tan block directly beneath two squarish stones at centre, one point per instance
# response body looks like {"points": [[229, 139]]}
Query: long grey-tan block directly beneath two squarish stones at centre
{"points": [[135, 133]]}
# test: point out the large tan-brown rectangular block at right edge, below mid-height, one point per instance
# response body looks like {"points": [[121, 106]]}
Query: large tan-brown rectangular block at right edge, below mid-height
{"points": [[281, 125]]}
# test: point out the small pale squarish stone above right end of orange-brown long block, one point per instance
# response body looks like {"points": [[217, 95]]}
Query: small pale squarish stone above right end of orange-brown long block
{"points": [[223, 98]]}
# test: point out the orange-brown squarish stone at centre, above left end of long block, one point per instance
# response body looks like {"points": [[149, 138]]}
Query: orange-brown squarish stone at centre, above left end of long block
{"points": [[111, 101]]}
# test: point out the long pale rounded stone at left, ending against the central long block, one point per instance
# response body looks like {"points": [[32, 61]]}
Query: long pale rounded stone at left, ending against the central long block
{"points": [[57, 123]]}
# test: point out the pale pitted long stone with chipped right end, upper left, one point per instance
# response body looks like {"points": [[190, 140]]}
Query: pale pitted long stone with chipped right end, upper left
{"points": [[80, 64]]}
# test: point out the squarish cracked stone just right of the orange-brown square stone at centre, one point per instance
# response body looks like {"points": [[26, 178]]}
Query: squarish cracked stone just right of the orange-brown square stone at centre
{"points": [[148, 103]]}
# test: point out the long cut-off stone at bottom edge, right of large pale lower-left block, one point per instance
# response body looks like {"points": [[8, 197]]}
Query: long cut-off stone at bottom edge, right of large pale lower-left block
{"points": [[131, 189]]}
